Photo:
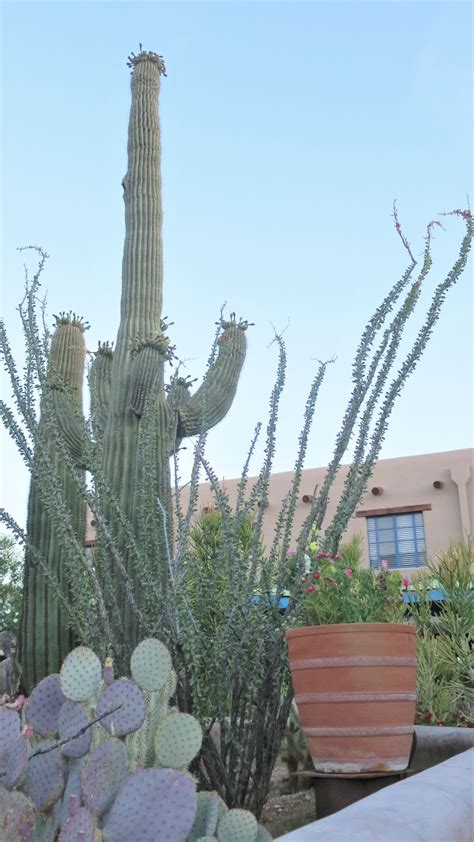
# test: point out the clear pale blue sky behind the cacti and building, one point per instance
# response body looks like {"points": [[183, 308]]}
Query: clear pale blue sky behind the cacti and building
{"points": [[288, 129]]}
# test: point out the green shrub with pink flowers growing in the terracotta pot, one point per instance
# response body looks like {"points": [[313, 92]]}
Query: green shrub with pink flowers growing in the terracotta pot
{"points": [[334, 592]]}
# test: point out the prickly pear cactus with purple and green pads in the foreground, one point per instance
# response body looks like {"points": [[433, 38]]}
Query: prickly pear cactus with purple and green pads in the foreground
{"points": [[77, 760]]}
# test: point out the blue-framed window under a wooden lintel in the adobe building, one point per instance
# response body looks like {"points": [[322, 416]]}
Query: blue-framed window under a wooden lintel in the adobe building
{"points": [[397, 539]]}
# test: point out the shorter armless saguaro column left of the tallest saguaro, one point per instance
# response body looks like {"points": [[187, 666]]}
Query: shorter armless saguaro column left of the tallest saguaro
{"points": [[46, 637]]}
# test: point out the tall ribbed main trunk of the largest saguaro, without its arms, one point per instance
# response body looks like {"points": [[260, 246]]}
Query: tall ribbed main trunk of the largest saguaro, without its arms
{"points": [[137, 373]]}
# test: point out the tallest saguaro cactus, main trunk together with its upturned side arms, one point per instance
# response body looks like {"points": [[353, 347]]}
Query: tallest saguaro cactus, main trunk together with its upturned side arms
{"points": [[131, 386]]}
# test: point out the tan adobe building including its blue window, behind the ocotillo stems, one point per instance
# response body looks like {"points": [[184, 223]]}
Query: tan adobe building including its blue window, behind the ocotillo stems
{"points": [[413, 506]]}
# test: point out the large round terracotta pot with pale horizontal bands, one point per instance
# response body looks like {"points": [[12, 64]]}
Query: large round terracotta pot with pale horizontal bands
{"points": [[355, 687]]}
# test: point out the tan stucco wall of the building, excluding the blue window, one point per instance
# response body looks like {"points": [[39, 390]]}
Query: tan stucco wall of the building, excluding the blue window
{"points": [[406, 481]]}
